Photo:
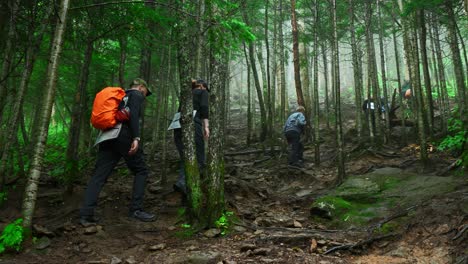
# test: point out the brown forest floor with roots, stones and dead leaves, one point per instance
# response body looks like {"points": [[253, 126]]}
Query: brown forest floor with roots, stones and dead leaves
{"points": [[272, 203]]}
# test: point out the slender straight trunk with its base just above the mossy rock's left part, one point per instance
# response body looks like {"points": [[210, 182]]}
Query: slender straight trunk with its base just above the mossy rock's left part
{"points": [[338, 122]]}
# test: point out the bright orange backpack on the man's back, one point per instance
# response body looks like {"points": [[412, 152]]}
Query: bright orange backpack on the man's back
{"points": [[105, 107]]}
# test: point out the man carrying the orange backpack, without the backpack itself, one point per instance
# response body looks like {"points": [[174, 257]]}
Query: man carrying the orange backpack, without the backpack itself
{"points": [[121, 141]]}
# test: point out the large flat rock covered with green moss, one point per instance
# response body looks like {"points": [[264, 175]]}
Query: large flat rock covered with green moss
{"points": [[364, 199]]}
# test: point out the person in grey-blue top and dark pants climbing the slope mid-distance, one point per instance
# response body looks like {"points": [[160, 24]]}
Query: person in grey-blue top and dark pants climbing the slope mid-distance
{"points": [[293, 129]]}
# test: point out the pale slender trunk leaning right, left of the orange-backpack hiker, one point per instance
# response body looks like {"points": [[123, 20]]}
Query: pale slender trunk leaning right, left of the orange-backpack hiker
{"points": [[36, 165]]}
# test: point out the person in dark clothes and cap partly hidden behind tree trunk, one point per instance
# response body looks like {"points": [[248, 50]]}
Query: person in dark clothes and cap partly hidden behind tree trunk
{"points": [[200, 92]]}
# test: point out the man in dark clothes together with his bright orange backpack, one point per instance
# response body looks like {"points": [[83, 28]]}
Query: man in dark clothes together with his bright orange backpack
{"points": [[121, 140]]}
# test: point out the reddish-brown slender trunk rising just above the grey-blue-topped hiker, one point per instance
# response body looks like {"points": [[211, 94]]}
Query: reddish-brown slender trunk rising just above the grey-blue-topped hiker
{"points": [[296, 58]]}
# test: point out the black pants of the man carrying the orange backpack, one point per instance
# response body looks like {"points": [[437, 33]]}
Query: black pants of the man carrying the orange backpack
{"points": [[109, 155]]}
